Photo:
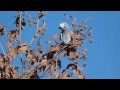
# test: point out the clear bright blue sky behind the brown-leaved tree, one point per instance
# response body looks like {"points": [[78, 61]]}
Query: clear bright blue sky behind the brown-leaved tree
{"points": [[103, 59]]}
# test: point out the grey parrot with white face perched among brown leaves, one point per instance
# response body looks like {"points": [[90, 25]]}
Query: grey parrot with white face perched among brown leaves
{"points": [[66, 33]]}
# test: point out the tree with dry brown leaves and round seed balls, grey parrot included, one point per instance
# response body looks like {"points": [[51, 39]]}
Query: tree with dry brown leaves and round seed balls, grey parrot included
{"points": [[37, 63]]}
